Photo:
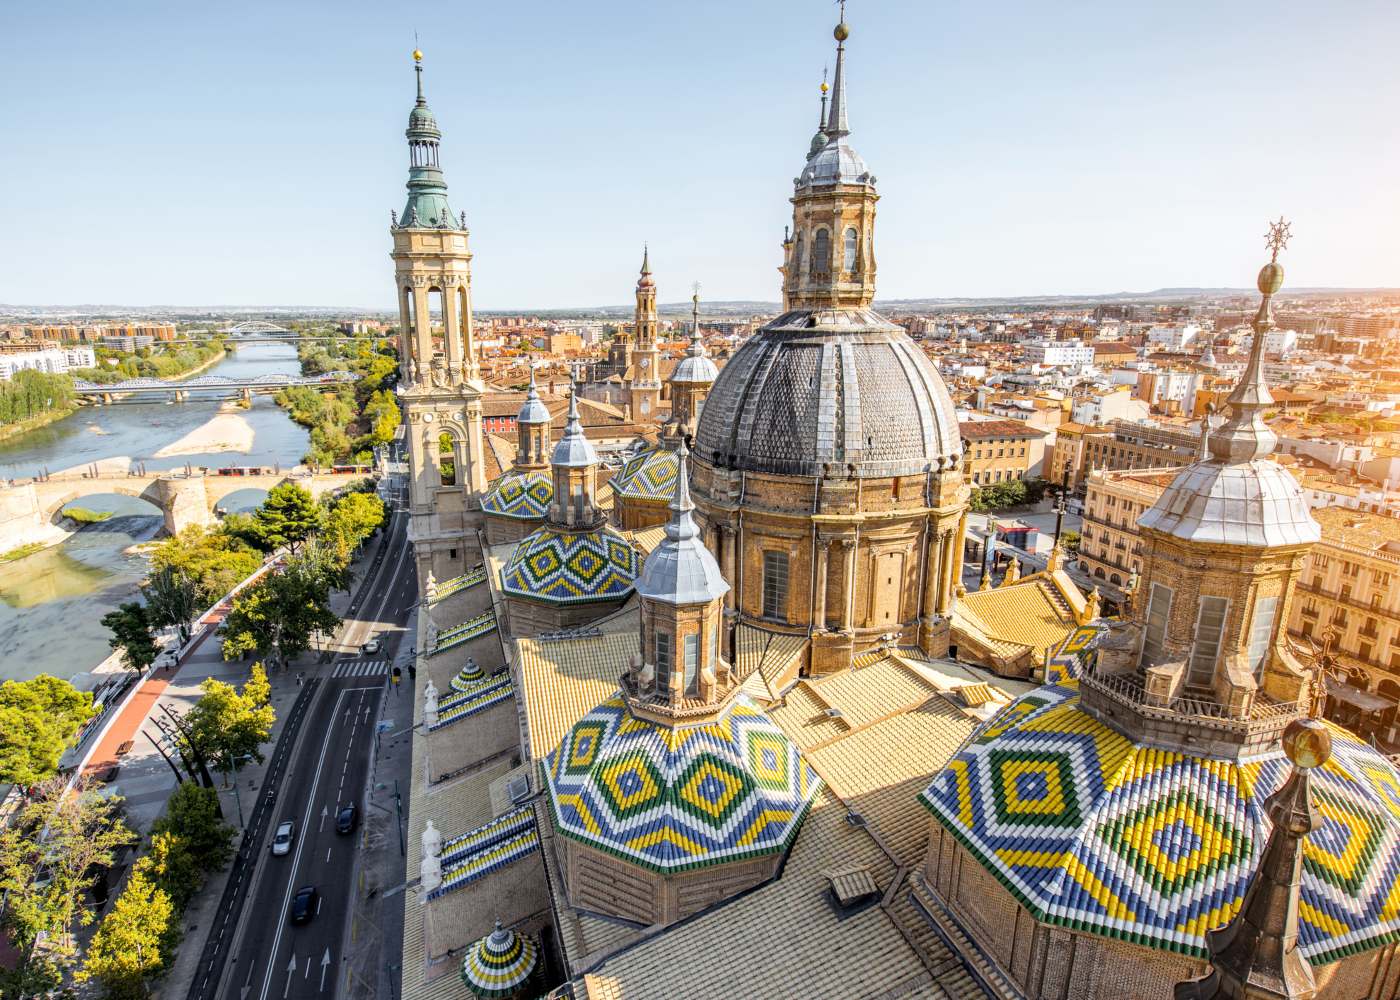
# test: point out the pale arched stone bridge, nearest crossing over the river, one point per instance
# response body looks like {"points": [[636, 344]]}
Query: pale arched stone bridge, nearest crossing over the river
{"points": [[30, 508]]}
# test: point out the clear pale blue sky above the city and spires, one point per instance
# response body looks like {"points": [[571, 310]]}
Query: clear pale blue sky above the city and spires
{"points": [[250, 153]]}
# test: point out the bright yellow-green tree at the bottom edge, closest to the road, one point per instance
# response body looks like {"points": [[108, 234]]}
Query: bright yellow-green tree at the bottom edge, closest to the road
{"points": [[135, 940]]}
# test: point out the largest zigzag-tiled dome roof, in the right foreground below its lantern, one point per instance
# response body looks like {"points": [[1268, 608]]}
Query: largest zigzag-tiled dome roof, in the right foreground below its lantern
{"points": [[1095, 833]]}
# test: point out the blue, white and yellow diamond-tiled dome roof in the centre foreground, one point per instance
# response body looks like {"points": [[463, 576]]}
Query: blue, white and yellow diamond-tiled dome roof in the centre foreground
{"points": [[677, 799]]}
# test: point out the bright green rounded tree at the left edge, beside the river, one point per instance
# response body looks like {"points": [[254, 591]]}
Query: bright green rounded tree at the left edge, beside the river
{"points": [[38, 718]]}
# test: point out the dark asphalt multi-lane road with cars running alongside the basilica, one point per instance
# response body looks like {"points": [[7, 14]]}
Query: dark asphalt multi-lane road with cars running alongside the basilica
{"points": [[328, 767]]}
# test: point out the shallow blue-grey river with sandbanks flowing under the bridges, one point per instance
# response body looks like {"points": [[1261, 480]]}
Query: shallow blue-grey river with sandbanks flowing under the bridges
{"points": [[52, 603]]}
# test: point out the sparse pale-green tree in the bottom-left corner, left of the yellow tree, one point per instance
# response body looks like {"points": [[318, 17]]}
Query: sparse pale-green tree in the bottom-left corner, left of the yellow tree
{"points": [[51, 855]]}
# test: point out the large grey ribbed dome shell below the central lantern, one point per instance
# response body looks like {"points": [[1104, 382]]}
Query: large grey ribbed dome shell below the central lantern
{"points": [[835, 393]]}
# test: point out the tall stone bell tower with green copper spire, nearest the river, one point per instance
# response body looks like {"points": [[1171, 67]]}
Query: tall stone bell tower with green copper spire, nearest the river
{"points": [[439, 376]]}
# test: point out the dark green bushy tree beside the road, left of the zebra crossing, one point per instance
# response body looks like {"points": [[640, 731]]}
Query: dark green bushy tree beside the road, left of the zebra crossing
{"points": [[278, 616]]}
